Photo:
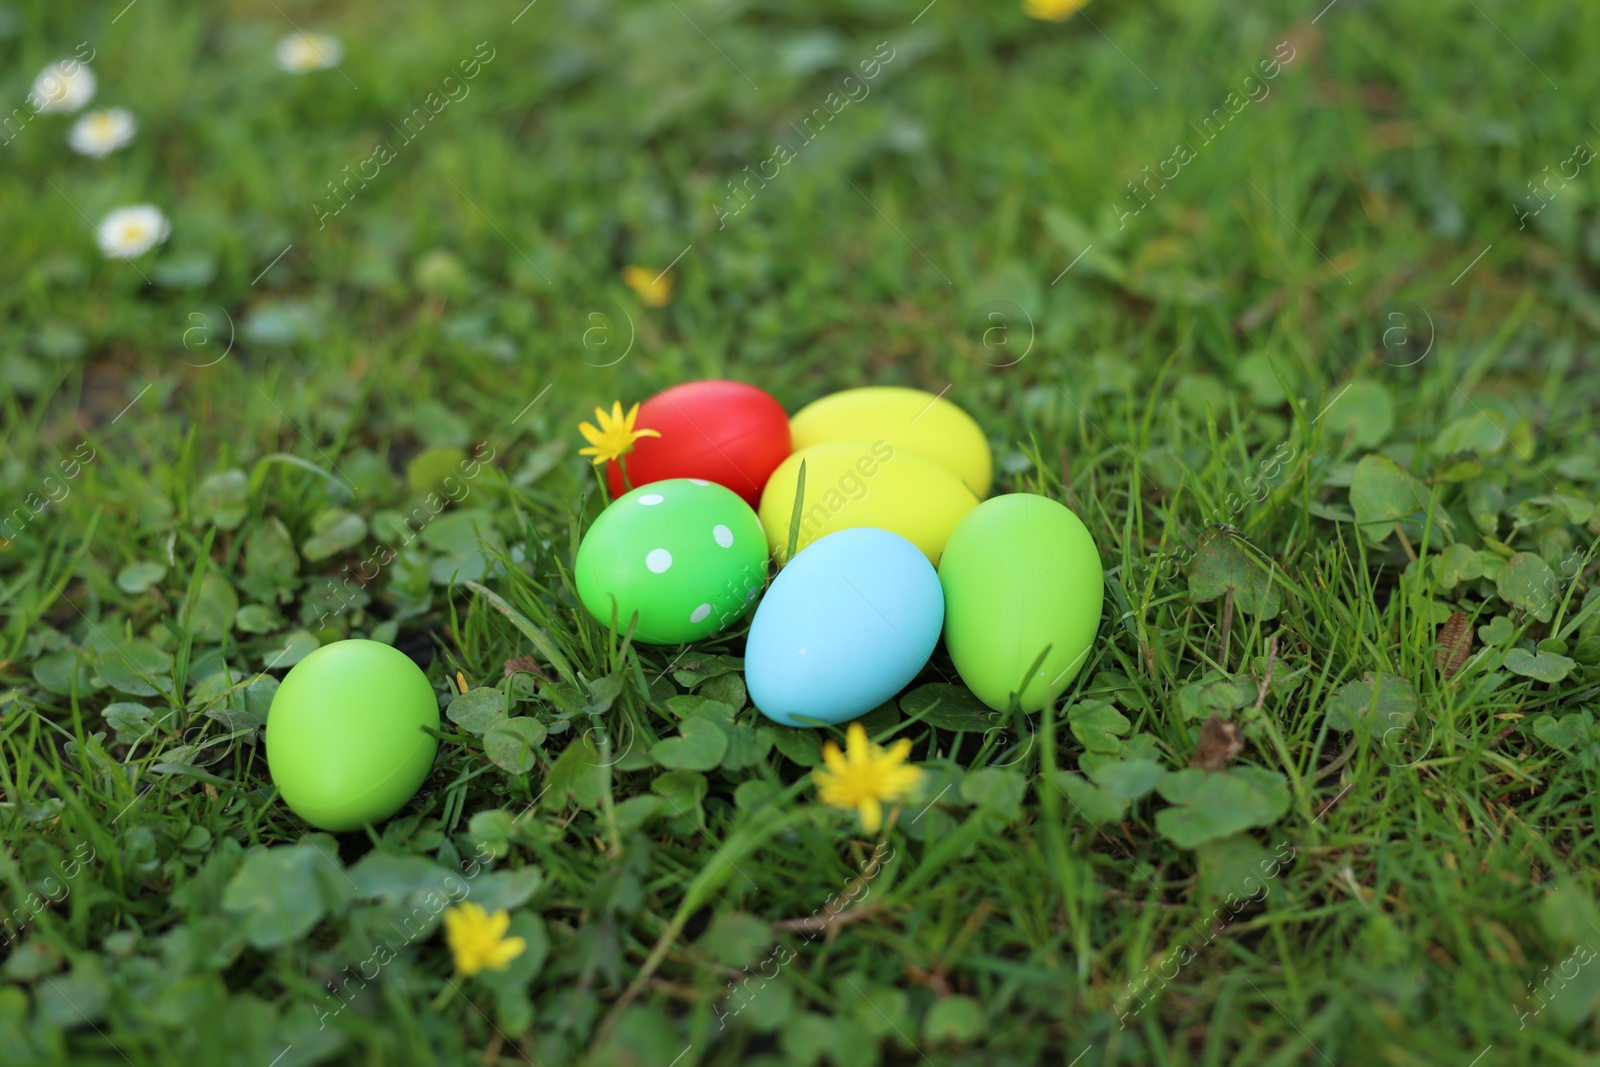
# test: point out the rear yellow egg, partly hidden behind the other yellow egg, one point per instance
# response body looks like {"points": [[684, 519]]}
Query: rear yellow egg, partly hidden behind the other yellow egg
{"points": [[911, 420]]}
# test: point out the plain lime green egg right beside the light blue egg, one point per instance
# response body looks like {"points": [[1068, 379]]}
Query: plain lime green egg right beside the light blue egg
{"points": [[1020, 573]]}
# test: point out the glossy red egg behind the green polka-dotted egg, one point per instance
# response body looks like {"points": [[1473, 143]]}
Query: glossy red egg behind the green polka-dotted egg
{"points": [[719, 431]]}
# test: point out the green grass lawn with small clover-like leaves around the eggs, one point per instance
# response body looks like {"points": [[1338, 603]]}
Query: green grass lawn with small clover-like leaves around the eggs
{"points": [[234, 420]]}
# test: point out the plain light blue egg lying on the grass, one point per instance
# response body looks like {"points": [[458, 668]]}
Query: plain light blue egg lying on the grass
{"points": [[844, 628]]}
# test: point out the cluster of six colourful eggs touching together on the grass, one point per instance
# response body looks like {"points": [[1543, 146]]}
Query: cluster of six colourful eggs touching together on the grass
{"points": [[895, 546]]}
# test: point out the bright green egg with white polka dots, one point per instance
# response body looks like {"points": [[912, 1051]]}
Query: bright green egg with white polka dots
{"points": [[687, 557]]}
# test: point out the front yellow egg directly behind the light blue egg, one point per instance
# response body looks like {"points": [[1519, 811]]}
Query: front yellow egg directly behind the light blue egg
{"points": [[855, 484]]}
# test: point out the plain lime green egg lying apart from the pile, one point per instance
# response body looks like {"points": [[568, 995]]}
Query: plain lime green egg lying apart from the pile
{"points": [[346, 735]]}
